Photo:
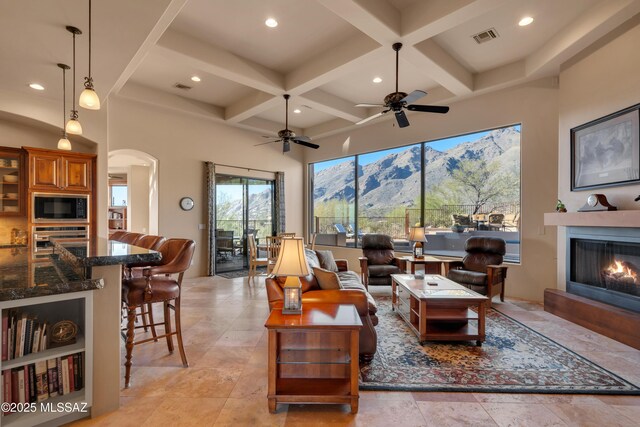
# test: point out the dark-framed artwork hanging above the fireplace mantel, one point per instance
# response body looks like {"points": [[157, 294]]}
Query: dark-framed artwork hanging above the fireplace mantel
{"points": [[606, 151]]}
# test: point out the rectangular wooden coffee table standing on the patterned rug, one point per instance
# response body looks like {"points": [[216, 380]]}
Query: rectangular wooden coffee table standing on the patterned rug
{"points": [[439, 312]]}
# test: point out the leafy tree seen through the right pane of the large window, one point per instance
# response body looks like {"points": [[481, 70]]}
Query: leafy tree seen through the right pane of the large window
{"points": [[483, 184]]}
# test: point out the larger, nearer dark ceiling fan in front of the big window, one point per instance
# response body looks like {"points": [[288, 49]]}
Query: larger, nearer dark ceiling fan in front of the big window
{"points": [[397, 101]]}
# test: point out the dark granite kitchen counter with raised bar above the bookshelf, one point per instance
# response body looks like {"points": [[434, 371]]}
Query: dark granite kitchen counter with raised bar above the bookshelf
{"points": [[66, 270]]}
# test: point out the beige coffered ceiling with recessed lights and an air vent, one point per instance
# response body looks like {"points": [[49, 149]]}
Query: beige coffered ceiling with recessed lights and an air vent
{"points": [[325, 53]]}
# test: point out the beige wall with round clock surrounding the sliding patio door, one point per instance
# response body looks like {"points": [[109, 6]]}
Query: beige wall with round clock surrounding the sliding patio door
{"points": [[182, 143]]}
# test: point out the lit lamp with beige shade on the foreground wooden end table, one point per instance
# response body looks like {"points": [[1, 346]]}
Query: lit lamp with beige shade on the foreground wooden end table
{"points": [[293, 264]]}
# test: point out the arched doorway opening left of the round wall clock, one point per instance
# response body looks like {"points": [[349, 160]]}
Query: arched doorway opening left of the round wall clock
{"points": [[133, 178]]}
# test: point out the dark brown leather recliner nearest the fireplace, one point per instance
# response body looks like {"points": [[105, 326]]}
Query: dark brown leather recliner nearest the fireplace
{"points": [[481, 270]]}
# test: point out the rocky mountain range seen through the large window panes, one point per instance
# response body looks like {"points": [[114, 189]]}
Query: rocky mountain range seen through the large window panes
{"points": [[394, 180]]}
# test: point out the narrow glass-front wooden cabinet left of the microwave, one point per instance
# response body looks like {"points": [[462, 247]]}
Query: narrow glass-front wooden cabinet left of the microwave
{"points": [[12, 183]]}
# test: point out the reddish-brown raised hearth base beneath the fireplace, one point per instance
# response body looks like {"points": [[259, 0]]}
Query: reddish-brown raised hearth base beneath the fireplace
{"points": [[616, 323]]}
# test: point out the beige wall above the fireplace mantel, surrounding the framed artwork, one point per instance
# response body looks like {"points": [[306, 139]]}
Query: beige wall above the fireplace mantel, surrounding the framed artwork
{"points": [[601, 82]]}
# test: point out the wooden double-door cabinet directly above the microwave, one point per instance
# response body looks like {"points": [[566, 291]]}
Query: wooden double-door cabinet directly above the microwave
{"points": [[51, 170]]}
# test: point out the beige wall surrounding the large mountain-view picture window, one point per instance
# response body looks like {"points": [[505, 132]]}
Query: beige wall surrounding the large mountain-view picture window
{"points": [[535, 106]]}
